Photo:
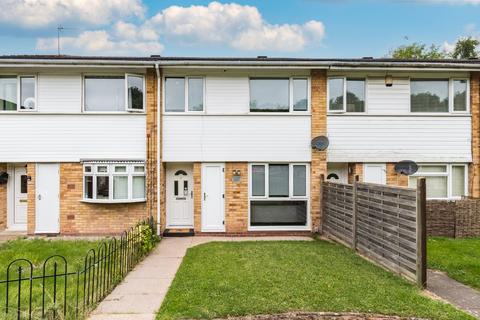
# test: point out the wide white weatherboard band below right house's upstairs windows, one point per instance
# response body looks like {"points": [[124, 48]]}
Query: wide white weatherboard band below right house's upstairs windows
{"points": [[396, 138]]}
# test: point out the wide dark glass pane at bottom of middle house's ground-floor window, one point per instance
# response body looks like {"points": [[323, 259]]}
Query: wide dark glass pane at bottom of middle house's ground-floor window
{"points": [[278, 213]]}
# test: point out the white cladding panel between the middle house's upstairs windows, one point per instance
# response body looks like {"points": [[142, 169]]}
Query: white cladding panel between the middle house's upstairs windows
{"points": [[227, 95]]}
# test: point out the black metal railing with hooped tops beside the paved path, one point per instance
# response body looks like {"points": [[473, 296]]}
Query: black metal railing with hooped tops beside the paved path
{"points": [[52, 291]]}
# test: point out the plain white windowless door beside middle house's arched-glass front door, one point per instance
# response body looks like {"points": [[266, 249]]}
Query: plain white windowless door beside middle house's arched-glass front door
{"points": [[213, 197]]}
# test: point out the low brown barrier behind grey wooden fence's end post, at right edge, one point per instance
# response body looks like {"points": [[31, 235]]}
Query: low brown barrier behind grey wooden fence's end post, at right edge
{"points": [[455, 219]]}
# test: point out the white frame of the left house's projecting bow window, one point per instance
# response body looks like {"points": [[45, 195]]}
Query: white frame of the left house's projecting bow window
{"points": [[111, 174]]}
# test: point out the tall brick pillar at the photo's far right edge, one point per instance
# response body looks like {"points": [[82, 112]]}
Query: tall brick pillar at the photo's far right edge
{"points": [[474, 167]]}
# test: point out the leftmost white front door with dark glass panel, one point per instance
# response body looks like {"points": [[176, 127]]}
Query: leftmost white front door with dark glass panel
{"points": [[20, 196]]}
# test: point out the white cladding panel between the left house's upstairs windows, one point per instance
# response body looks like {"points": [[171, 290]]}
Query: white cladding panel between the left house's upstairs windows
{"points": [[59, 93]]}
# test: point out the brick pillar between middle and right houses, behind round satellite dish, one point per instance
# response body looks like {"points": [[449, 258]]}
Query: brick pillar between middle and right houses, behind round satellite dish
{"points": [[319, 127]]}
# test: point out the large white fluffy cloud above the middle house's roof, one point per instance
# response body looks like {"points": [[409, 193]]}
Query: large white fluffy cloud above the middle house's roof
{"points": [[239, 26]]}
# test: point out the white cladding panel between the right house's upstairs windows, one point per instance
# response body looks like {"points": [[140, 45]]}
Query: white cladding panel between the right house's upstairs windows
{"points": [[388, 100]]}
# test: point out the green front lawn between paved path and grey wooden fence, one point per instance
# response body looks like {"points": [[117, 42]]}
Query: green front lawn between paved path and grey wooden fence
{"points": [[241, 278]]}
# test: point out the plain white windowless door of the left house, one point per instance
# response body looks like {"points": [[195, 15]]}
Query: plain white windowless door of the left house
{"points": [[47, 198]]}
